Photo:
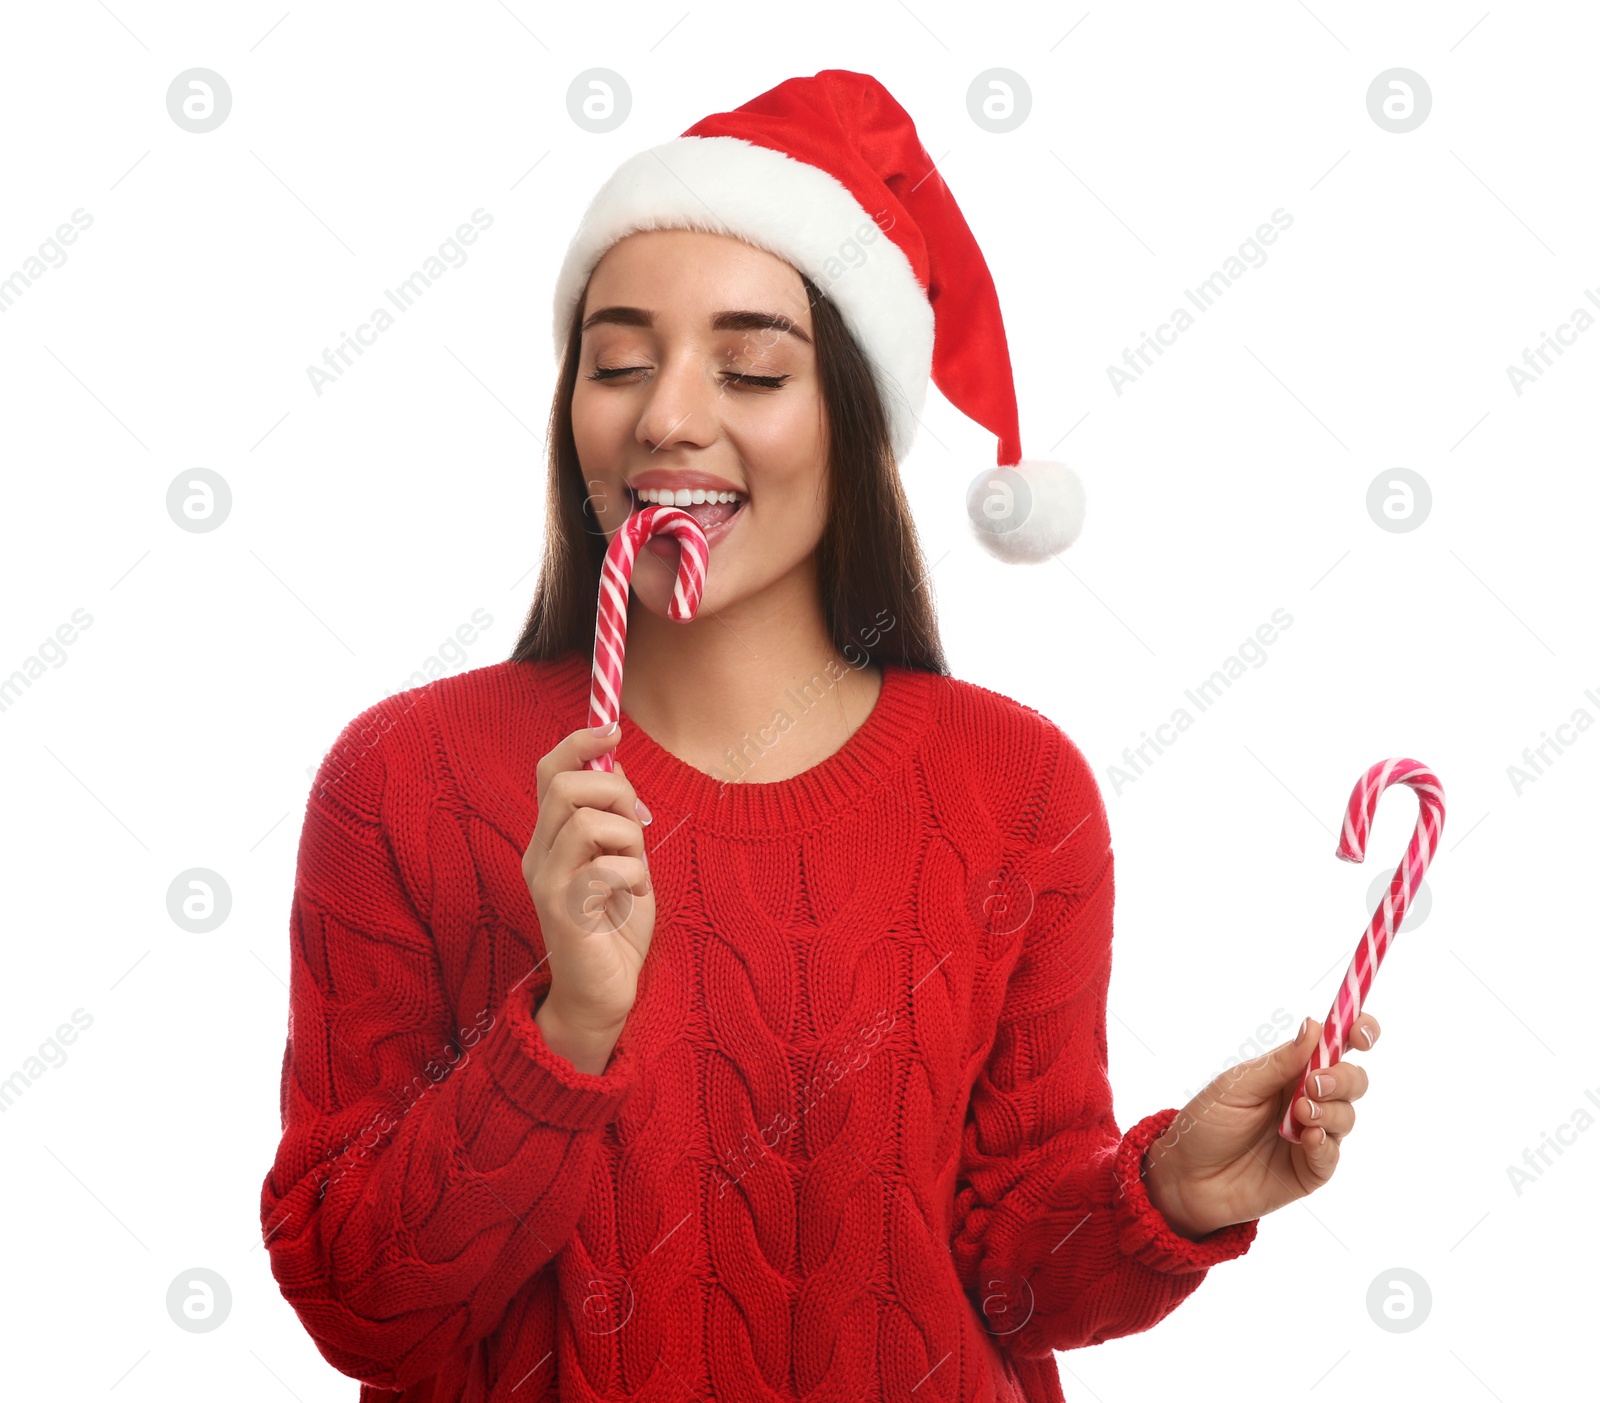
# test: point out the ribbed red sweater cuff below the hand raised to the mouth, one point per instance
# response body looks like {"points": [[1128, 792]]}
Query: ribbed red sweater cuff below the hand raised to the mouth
{"points": [[545, 1084]]}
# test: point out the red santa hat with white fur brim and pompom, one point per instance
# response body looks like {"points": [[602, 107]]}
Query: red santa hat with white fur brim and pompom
{"points": [[828, 174]]}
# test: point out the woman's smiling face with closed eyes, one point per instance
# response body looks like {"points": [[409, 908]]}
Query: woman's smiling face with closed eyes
{"points": [[698, 372]]}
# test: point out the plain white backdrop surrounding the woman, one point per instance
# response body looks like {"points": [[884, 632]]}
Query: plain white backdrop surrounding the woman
{"points": [[369, 524]]}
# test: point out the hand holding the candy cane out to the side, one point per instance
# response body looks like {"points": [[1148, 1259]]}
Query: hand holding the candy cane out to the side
{"points": [[1223, 1159]]}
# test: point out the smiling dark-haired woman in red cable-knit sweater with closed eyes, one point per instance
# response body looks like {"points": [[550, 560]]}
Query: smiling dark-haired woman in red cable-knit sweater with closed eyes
{"points": [[817, 1101]]}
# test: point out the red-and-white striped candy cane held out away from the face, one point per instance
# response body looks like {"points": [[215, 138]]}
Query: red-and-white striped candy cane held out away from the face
{"points": [[1391, 911]]}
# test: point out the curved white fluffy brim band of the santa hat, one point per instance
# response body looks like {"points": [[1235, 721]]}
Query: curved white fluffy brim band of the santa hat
{"points": [[724, 185]]}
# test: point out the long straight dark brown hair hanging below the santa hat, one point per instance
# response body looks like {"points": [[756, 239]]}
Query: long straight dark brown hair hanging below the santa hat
{"points": [[878, 598]]}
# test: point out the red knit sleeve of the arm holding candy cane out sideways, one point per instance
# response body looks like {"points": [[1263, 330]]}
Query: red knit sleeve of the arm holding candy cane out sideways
{"points": [[1057, 1239]]}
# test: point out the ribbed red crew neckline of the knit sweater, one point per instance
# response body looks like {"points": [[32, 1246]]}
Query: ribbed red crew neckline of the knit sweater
{"points": [[873, 754]]}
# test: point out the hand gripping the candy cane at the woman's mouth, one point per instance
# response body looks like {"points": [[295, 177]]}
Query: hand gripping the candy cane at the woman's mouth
{"points": [[591, 890]]}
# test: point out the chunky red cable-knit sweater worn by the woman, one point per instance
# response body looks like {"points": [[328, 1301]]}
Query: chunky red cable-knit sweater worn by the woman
{"points": [[857, 1138]]}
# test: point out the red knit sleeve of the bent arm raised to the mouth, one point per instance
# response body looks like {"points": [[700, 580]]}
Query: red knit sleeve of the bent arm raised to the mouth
{"points": [[430, 1164]]}
